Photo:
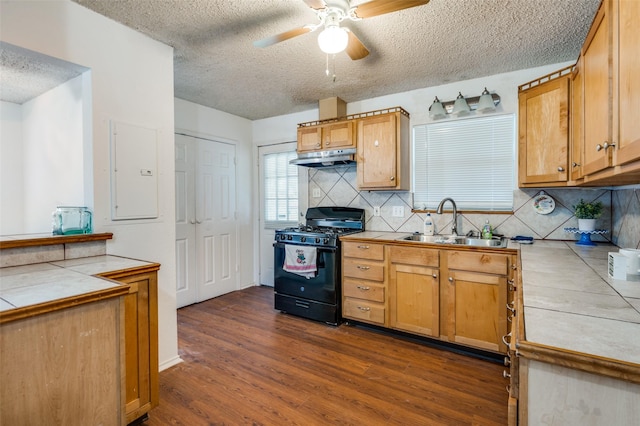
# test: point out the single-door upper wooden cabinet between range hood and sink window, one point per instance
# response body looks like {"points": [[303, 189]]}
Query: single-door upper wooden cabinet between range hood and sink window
{"points": [[383, 151]]}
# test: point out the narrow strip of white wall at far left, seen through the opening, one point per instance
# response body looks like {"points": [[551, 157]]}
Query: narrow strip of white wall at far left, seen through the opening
{"points": [[11, 186]]}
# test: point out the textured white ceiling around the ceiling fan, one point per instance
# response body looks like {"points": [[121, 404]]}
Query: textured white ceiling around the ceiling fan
{"points": [[217, 65]]}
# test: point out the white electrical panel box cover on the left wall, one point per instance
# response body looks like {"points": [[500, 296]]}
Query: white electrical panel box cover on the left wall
{"points": [[134, 172]]}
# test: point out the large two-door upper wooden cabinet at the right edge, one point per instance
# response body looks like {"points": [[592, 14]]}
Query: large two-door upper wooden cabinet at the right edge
{"points": [[612, 95]]}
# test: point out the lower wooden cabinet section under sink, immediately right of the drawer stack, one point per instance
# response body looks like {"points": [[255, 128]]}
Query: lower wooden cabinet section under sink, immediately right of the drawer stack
{"points": [[414, 290]]}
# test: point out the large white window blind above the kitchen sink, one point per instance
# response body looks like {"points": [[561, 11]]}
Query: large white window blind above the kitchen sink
{"points": [[471, 161]]}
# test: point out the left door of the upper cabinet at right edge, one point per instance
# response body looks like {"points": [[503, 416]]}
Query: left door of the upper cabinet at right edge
{"points": [[596, 55]]}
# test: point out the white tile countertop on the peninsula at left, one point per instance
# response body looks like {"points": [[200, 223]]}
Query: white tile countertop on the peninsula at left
{"points": [[27, 285]]}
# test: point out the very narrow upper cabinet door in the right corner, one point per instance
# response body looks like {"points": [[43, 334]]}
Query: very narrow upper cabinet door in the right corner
{"points": [[577, 121]]}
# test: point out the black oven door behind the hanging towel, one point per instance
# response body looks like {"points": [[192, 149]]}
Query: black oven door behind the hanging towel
{"points": [[324, 287]]}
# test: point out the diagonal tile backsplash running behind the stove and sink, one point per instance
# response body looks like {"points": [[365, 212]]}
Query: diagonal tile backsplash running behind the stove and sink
{"points": [[337, 187]]}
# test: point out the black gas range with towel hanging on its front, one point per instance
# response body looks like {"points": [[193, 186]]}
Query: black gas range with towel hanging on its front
{"points": [[307, 261]]}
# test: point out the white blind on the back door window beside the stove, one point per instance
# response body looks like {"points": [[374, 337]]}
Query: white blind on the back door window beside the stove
{"points": [[280, 189]]}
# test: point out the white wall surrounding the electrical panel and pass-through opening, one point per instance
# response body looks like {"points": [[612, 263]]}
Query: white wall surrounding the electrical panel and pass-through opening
{"points": [[131, 82]]}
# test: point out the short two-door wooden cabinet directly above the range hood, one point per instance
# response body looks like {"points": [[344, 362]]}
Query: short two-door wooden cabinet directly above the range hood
{"points": [[324, 137]]}
